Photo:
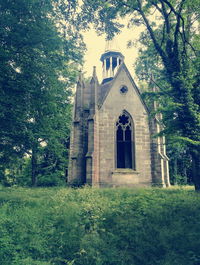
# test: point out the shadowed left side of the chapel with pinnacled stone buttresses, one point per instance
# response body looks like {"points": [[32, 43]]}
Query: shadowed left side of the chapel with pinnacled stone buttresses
{"points": [[83, 160]]}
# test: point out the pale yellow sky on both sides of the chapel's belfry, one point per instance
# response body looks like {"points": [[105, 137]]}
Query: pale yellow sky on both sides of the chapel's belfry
{"points": [[96, 46]]}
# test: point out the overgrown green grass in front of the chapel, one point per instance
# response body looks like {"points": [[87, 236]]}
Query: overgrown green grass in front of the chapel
{"points": [[99, 226]]}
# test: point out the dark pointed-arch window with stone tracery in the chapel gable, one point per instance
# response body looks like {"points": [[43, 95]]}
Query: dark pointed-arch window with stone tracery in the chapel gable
{"points": [[125, 147]]}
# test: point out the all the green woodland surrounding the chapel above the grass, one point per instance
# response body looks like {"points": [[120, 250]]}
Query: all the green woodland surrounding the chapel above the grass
{"points": [[41, 51]]}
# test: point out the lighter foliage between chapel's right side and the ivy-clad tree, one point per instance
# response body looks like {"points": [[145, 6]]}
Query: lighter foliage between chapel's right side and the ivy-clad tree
{"points": [[151, 73]]}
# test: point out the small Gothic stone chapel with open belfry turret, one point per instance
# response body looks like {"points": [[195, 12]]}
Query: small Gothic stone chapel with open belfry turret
{"points": [[112, 141]]}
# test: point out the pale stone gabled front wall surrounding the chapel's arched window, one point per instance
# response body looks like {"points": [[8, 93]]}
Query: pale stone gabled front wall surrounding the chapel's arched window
{"points": [[109, 112]]}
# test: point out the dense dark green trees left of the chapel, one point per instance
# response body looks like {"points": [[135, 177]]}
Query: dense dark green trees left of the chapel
{"points": [[40, 49]]}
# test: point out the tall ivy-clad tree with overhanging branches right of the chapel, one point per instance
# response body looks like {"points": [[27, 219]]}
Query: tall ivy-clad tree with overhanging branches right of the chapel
{"points": [[175, 40]]}
